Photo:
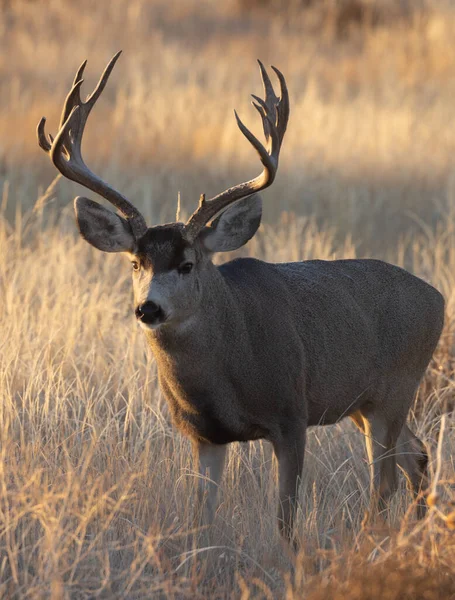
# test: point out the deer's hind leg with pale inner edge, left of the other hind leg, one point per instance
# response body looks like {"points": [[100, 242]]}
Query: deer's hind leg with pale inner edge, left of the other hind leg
{"points": [[381, 437]]}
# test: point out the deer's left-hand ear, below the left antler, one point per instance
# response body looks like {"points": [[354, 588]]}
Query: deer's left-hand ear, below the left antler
{"points": [[103, 228]]}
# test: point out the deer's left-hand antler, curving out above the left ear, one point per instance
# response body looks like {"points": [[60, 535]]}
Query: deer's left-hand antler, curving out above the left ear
{"points": [[65, 149]]}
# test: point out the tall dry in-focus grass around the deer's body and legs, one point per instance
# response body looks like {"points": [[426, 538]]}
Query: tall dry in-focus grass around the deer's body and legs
{"points": [[96, 488]]}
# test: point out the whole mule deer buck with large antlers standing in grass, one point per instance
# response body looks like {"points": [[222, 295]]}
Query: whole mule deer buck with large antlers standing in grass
{"points": [[250, 350]]}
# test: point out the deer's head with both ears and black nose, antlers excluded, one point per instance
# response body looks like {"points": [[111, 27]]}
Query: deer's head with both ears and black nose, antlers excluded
{"points": [[169, 271]]}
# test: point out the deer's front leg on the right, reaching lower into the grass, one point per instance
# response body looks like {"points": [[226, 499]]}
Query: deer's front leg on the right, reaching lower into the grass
{"points": [[289, 452]]}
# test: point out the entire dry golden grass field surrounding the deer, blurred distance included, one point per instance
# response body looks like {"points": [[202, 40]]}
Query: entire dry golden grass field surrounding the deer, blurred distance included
{"points": [[96, 487]]}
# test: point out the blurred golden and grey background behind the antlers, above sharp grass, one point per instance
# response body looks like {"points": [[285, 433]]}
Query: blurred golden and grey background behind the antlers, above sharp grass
{"points": [[370, 146]]}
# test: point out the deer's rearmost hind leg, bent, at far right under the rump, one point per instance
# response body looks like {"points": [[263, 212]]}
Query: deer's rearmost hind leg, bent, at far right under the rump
{"points": [[412, 459]]}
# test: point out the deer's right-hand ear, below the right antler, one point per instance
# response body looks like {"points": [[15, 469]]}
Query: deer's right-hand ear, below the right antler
{"points": [[234, 227]]}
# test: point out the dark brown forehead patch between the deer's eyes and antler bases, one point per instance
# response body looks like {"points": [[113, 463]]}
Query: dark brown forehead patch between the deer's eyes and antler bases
{"points": [[163, 248]]}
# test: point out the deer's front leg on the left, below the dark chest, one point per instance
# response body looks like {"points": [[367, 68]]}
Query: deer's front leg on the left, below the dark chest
{"points": [[209, 459]]}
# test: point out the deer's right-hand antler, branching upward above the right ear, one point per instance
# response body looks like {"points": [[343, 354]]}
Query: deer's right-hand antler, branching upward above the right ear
{"points": [[274, 112]]}
